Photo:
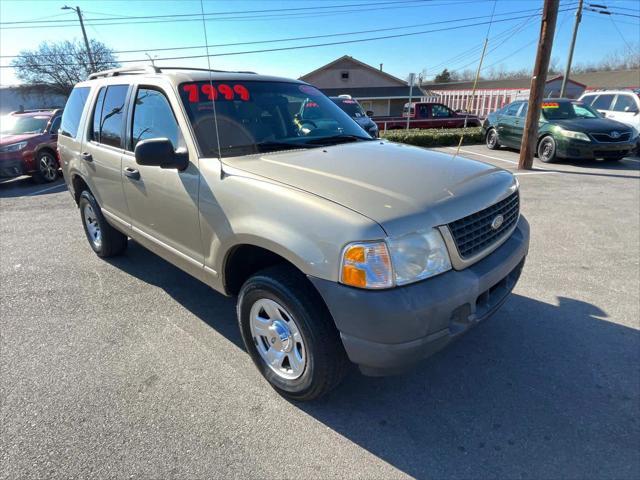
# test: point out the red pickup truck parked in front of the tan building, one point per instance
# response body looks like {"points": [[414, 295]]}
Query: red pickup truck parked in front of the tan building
{"points": [[427, 115]]}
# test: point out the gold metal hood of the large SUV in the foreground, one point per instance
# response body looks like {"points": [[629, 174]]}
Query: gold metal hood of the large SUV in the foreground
{"points": [[402, 188]]}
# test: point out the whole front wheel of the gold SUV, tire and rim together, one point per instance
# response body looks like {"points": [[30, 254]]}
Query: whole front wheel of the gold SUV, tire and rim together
{"points": [[290, 335]]}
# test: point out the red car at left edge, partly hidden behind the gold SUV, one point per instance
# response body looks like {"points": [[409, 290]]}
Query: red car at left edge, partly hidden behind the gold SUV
{"points": [[28, 141]]}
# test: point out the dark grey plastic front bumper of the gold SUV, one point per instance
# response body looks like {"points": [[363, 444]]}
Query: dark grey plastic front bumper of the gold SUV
{"points": [[386, 331]]}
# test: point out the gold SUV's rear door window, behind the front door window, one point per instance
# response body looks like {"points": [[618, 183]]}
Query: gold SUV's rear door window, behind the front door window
{"points": [[110, 112]]}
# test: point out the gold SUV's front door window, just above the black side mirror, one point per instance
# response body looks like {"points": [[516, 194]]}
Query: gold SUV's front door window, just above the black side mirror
{"points": [[153, 118]]}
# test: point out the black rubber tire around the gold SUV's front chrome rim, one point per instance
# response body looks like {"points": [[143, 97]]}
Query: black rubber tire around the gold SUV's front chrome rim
{"points": [[326, 361]]}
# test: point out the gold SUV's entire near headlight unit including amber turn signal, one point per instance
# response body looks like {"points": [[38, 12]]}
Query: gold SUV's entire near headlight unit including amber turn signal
{"points": [[398, 261]]}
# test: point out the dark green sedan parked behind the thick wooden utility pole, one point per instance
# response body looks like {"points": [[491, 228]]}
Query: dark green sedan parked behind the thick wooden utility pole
{"points": [[568, 129]]}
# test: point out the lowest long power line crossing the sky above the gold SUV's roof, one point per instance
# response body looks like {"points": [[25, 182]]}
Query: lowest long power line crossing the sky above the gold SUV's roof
{"points": [[299, 47]]}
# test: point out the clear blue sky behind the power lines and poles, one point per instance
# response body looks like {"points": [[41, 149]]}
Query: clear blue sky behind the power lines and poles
{"points": [[598, 36]]}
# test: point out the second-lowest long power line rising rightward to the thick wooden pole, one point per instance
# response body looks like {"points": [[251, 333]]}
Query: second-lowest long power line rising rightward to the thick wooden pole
{"points": [[310, 37]]}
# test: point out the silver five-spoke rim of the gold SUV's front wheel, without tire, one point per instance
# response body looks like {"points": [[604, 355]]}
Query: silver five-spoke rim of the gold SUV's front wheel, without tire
{"points": [[277, 338]]}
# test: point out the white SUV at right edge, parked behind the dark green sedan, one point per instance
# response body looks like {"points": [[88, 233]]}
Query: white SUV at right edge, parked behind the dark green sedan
{"points": [[620, 105]]}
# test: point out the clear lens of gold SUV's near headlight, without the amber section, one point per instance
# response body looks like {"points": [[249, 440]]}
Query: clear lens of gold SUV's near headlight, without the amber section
{"points": [[418, 255]]}
